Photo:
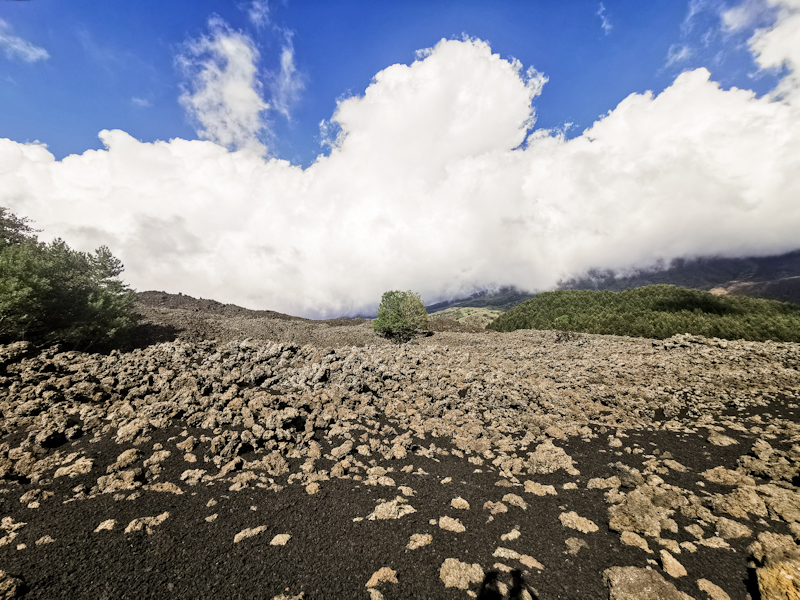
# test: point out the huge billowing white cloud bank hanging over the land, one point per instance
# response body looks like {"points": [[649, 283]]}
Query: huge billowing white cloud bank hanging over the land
{"points": [[434, 183]]}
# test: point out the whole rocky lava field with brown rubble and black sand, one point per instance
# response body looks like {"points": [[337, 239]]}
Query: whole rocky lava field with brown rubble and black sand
{"points": [[325, 435]]}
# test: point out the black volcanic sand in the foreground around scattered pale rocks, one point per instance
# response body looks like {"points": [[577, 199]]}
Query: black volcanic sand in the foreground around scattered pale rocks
{"points": [[331, 556]]}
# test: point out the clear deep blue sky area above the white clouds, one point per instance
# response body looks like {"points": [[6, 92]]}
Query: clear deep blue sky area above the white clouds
{"points": [[113, 64]]}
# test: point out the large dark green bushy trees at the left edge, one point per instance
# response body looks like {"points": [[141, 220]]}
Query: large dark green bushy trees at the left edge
{"points": [[50, 293]]}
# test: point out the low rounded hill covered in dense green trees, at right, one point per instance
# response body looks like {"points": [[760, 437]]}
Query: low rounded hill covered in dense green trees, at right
{"points": [[656, 311]]}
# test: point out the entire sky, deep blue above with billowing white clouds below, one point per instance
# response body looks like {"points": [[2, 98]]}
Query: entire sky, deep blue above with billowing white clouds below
{"points": [[308, 156]]}
